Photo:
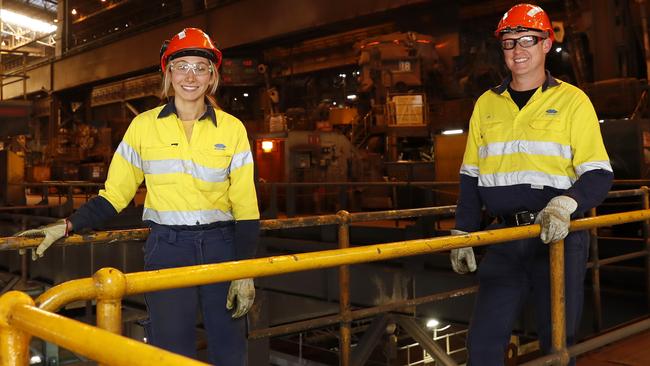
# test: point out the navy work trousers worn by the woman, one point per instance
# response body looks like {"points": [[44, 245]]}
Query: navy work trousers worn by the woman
{"points": [[173, 313]]}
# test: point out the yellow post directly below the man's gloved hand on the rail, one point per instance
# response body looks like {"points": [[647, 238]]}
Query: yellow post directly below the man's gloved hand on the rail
{"points": [[558, 315]]}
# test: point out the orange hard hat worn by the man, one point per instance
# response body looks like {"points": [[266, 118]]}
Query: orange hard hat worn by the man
{"points": [[523, 17]]}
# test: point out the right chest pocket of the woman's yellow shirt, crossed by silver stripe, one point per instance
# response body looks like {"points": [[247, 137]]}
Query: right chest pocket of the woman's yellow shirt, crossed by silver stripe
{"points": [[210, 168]]}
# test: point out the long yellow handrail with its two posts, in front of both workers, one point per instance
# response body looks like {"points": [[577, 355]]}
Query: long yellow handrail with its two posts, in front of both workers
{"points": [[109, 285]]}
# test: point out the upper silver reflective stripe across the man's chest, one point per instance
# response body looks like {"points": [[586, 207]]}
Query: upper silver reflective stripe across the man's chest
{"points": [[525, 147]]}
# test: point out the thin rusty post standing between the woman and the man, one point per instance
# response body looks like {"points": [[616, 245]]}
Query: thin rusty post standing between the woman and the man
{"points": [[345, 330]]}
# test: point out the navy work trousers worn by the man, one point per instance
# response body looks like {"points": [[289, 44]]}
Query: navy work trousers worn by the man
{"points": [[507, 274]]}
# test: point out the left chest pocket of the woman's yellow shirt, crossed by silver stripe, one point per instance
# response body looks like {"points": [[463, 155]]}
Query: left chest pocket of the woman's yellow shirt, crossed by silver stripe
{"points": [[161, 165]]}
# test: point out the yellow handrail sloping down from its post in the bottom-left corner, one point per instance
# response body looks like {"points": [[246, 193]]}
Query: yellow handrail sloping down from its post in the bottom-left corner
{"points": [[19, 320]]}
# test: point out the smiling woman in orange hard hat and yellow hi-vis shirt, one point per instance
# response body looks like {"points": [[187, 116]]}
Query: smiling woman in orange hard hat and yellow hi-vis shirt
{"points": [[201, 203]]}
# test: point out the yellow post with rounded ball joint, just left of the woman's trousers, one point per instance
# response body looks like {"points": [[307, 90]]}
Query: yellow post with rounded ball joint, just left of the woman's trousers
{"points": [[111, 285]]}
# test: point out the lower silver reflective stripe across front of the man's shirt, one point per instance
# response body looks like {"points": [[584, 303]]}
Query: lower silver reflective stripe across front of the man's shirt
{"points": [[525, 177]]}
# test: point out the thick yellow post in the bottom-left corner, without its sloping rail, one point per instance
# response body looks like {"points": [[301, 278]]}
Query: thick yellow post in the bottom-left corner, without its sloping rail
{"points": [[14, 343]]}
